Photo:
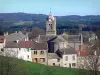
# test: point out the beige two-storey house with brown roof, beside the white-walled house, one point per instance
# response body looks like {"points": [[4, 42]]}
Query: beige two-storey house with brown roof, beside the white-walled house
{"points": [[39, 52]]}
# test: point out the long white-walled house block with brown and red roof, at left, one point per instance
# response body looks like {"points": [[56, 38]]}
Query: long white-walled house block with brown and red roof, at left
{"points": [[18, 49]]}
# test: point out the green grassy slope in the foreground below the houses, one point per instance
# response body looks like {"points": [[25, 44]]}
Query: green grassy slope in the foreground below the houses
{"points": [[11, 66]]}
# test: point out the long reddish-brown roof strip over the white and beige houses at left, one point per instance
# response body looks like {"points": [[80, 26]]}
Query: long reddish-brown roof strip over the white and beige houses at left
{"points": [[27, 44]]}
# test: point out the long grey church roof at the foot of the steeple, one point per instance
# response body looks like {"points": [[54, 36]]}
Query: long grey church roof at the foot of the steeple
{"points": [[59, 38]]}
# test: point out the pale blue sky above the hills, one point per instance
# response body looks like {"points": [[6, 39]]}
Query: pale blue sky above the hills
{"points": [[58, 7]]}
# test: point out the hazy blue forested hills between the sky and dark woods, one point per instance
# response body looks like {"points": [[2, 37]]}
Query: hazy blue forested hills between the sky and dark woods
{"points": [[13, 19]]}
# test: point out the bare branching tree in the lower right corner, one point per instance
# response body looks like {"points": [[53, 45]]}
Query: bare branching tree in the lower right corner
{"points": [[91, 62]]}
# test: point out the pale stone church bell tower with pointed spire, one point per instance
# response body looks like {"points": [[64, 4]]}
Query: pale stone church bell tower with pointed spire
{"points": [[51, 25]]}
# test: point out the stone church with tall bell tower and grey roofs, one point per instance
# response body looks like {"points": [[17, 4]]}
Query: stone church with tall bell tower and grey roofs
{"points": [[58, 43]]}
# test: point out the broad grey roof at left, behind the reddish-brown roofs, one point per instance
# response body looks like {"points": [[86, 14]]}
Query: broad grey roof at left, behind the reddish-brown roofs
{"points": [[16, 36]]}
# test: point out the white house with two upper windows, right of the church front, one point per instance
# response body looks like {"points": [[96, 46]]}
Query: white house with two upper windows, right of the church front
{"points": [[69, 58]]}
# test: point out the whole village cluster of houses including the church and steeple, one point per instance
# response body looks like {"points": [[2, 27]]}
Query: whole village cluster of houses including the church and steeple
{"points": [[50, 49]]}
